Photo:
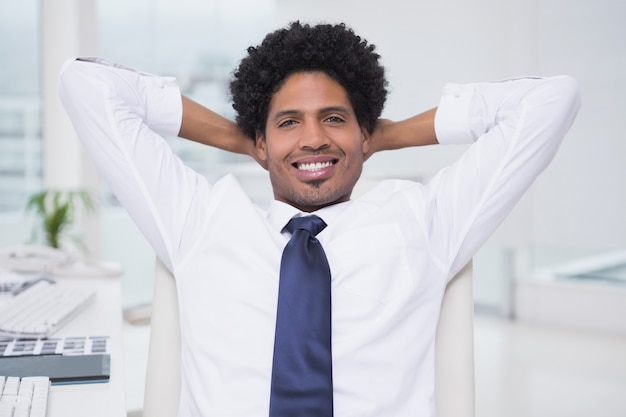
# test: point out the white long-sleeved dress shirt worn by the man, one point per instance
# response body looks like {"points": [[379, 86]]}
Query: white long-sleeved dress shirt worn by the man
{"points": [[391, 251]]}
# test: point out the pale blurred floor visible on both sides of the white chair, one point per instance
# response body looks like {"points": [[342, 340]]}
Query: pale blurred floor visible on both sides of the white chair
{"points": [[522, 370]]}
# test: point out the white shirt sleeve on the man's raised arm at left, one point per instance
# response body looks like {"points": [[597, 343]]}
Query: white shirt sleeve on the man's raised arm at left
{"points": [[122, 116]]}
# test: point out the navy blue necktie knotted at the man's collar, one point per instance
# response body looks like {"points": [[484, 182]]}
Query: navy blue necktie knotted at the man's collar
{"points": [[302, 384]]}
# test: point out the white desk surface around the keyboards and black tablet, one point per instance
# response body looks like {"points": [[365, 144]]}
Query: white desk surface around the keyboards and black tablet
{"points": [[102, 317]]}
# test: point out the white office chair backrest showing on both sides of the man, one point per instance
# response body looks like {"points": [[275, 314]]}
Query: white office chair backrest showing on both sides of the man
{"points": [[454, 365]]}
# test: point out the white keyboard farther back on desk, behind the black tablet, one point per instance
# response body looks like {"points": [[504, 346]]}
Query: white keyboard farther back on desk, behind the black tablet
{"points": [[41, 309]]}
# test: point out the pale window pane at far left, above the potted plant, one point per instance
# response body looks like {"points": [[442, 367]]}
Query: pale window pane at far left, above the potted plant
{"points": [[20, 105]]}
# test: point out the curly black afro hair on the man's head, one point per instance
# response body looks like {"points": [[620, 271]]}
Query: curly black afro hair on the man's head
{"points": [[333, 49]]}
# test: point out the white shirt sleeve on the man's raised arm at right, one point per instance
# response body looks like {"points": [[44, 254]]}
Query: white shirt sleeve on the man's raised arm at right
{"points": [[515, 128]]}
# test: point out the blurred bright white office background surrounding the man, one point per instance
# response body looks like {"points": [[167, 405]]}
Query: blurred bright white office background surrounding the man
{"points": [[557, 266]]}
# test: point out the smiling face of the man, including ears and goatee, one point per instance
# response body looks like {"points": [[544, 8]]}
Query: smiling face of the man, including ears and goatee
{"points": [[313, 145]]}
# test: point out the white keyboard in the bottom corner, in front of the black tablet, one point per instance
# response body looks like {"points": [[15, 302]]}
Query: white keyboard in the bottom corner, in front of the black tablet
{"points": [[24, 397]]}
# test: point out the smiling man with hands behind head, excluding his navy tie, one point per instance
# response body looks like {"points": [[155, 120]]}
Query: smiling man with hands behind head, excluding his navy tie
{"points": [[308, 101]]}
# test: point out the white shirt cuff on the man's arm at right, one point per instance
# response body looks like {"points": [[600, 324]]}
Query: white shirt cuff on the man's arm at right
{"points": [[452, 120]]}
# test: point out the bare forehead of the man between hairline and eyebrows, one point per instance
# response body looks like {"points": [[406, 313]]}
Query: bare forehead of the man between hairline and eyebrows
{"points": [[308, 91]]}
